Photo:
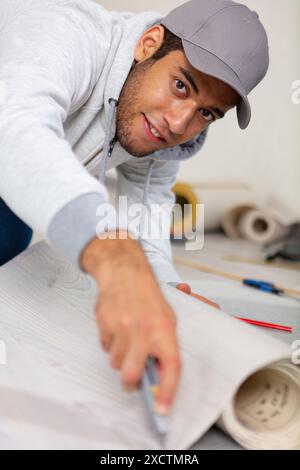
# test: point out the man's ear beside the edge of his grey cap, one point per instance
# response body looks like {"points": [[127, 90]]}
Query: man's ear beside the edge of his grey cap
{"points": [[149, 42]]}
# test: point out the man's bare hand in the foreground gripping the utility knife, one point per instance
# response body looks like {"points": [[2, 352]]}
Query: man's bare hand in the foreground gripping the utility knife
{"points": [[134, 319]]}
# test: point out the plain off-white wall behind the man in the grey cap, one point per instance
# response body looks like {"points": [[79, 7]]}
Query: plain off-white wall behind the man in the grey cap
{"points": [[265, 157]]}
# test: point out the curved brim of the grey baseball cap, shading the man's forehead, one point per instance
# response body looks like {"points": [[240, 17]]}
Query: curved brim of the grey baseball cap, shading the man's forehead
{"points": [[208, 63]]}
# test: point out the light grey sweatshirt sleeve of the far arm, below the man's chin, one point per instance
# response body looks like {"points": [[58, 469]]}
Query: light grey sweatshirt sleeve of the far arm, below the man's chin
{"points": [[160, 200]]}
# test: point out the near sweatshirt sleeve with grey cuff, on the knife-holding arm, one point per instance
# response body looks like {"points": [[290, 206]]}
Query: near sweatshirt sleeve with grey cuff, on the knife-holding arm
{"points": [[47, 67]]}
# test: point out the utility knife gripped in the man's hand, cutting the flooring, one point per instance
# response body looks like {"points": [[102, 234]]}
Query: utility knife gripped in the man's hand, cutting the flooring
{"points": [[150, 384]]}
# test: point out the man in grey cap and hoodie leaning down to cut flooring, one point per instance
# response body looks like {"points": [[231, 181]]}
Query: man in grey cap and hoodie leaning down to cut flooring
{"points": [[85, 89]]}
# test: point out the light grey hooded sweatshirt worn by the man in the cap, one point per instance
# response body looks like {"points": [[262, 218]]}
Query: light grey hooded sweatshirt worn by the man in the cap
{"points": [[62, 67]]}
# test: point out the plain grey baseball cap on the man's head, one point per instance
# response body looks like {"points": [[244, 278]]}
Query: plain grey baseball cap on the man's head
{"points": [[226, 40]]}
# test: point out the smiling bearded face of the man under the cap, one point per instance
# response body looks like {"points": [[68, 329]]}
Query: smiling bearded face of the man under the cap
{"points": [[161, 94]]}
